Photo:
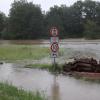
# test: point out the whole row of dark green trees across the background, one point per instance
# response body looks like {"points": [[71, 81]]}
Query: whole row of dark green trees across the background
{"points": [[27, 21]]}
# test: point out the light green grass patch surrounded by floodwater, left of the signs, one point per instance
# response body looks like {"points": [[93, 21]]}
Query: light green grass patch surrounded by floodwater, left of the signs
{"points": [[22, 52]]}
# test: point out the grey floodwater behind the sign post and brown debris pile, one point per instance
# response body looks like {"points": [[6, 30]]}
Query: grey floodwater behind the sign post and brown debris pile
{"points": [[68, 51]]}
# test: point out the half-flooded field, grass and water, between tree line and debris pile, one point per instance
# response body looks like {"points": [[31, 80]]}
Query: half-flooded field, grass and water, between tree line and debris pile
{"points": [[40, 49]]}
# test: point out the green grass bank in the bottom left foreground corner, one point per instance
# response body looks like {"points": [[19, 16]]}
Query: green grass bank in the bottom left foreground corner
{"points": [[9, 92]]}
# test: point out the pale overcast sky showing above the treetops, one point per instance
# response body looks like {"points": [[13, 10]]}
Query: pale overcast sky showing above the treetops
{"points": [[5, 5]]}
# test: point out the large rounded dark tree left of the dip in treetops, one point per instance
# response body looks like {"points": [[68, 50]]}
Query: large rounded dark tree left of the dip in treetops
{"points": [[25, 20]]}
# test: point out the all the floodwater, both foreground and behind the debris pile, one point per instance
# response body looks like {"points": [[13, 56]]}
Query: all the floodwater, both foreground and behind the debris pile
{"points": [[58, 87]]}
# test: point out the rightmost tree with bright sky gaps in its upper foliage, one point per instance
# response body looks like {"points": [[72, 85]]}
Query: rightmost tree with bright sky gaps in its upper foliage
{"points": [[91, 23]]}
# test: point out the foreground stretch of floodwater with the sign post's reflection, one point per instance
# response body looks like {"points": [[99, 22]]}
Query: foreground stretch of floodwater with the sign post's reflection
{"points": [[54, 87]]}
